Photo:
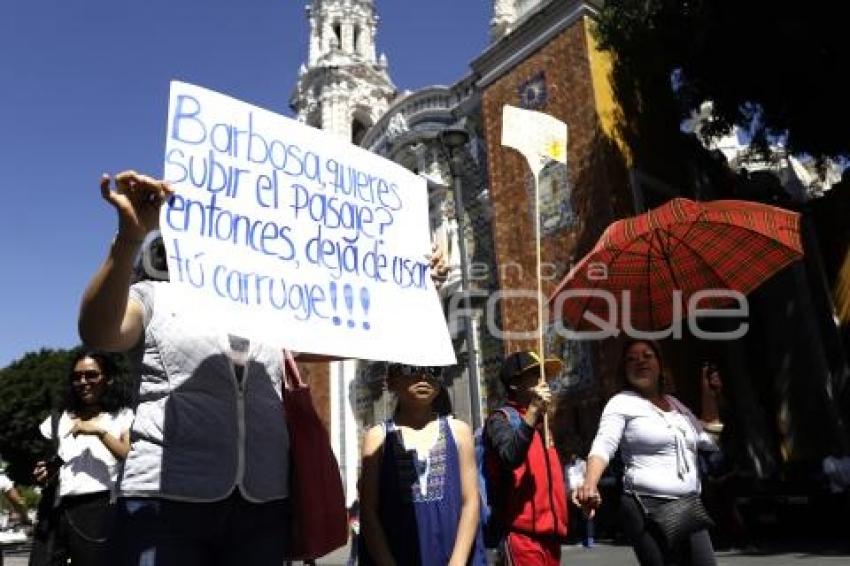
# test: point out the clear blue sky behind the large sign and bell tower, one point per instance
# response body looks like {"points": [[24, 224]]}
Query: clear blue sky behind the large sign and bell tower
{"points": [[83, 90]]}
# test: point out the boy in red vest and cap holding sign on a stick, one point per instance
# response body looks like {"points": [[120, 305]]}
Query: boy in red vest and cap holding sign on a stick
{"points": [[532, 499]]}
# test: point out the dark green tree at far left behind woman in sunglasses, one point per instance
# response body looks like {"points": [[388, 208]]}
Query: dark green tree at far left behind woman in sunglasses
{"points": [[29, 388]]}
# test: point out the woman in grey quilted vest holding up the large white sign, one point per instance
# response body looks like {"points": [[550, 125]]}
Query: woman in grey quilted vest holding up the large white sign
{"points": [[206, 478]]}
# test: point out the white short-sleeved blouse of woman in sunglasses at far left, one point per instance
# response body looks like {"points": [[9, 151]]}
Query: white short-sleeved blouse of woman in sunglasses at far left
{"points": [[89, 465]]}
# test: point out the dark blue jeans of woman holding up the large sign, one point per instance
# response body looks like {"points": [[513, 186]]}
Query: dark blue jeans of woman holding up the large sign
{"points": [[230, 532]]}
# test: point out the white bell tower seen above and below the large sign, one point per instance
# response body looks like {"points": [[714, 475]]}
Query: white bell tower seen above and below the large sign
{"points": [[343, 88]]}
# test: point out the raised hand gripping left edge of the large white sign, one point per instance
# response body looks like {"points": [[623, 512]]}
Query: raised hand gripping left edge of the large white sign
{"points": [[137, 199]]}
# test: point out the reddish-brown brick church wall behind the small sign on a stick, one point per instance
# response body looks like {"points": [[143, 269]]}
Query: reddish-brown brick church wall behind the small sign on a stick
{"points": [[594, 168]]}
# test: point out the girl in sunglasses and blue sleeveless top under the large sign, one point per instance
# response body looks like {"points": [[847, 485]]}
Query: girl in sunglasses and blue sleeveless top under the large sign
{"points": [[419, 483]]}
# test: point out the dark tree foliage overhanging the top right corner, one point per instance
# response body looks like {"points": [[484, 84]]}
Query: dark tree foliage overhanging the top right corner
{"points": [[773, 67]]}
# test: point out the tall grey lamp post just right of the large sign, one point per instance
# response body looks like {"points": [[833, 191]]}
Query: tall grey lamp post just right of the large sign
{"points": [[454, 139]]}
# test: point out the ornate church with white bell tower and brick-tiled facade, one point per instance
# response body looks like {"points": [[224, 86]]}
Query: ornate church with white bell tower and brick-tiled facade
{"points": [[543, 56]]}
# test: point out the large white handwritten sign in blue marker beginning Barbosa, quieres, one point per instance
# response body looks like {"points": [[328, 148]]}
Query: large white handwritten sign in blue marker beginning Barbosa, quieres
{"points": [[286, 234]]}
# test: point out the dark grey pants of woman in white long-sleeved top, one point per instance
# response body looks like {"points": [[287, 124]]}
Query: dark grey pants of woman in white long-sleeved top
{"points": [[649, 546]]}
